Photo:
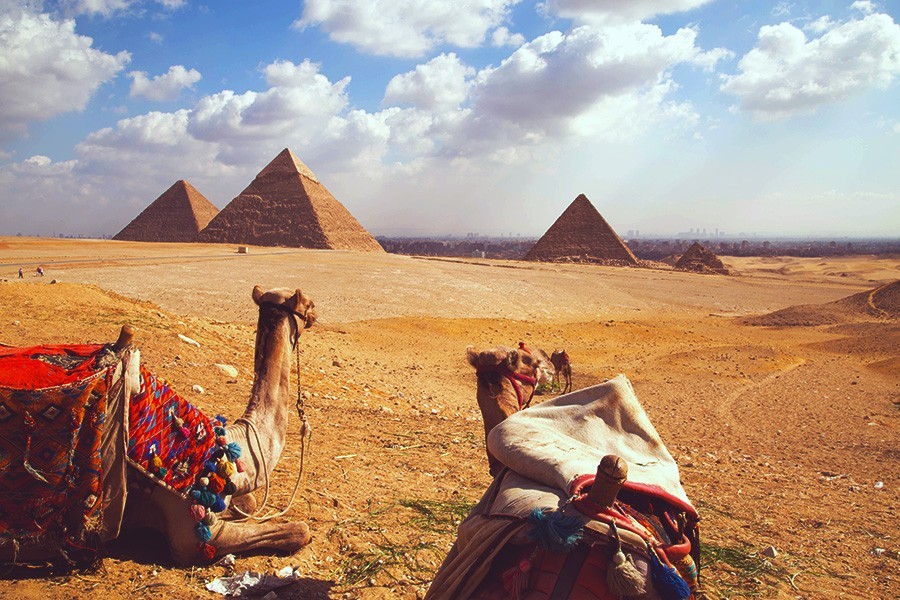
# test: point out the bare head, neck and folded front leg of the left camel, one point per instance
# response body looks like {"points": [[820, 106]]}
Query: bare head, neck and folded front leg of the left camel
{"points": [[260, 432]]}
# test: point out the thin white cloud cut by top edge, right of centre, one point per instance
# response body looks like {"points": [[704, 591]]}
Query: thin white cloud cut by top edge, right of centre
{"points": [[618, 10]]}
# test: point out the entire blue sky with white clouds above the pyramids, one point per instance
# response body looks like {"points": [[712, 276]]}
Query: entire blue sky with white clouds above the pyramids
{"points": [[437, 117]]}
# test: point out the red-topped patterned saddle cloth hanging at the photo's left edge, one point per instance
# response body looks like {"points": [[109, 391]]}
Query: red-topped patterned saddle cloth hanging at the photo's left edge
{"points": [[52, 411]]}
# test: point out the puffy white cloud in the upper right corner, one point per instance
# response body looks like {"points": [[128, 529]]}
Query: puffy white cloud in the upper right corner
{"points": [[786, 73]]}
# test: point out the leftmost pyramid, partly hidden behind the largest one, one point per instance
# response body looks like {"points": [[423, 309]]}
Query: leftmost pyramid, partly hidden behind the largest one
{"points": [[177, 215]]}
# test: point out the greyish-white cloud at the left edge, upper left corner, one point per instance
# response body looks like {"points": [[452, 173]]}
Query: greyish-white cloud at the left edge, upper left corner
{"points": [[47, 69]]}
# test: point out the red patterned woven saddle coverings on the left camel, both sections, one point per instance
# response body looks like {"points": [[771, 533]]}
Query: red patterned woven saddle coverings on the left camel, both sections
{"points": [[61, 407]]}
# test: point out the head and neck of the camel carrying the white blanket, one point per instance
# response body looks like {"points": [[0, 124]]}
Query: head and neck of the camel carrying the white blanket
{"points": [[507, 379]]}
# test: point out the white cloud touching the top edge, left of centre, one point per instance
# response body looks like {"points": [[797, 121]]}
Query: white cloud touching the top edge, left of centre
{"points": [[408, 28]]}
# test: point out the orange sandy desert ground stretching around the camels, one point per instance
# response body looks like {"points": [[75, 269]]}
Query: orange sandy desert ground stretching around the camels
{"points": [[786, 436]]}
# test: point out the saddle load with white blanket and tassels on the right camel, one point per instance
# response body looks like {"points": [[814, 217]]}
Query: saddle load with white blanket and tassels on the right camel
{"points": [[587, 503]]}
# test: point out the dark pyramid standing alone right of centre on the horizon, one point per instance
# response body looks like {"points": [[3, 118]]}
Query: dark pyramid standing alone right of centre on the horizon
{"points": [[581, 234]]}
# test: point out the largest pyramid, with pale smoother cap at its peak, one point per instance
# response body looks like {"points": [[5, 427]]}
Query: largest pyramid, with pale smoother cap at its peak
{"points": [[286, 205]]}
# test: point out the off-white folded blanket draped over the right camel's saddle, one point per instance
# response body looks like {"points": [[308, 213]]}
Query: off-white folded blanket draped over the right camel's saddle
{"points": [[556, 441]]}
